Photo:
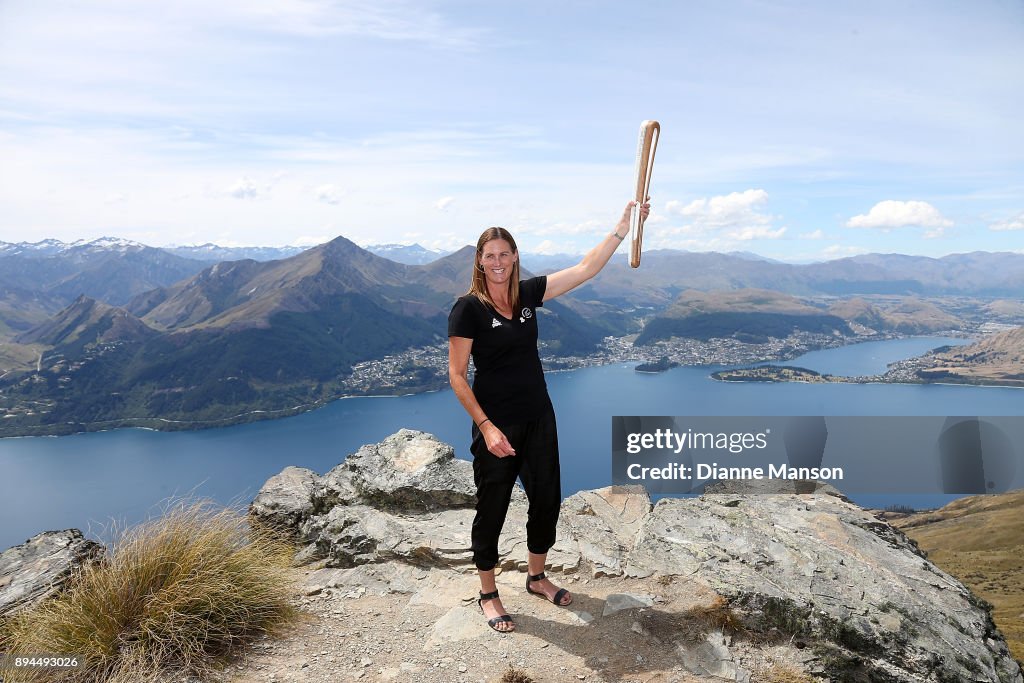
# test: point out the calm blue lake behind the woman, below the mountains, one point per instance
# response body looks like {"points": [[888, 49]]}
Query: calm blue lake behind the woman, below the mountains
{"points": [[91, 481]]}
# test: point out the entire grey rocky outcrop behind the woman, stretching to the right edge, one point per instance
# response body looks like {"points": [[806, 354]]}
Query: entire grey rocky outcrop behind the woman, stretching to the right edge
{"points": [[808, 572]]}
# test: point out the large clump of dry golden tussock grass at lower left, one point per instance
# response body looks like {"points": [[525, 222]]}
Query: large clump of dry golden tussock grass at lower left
{"points": [[178, 594]]}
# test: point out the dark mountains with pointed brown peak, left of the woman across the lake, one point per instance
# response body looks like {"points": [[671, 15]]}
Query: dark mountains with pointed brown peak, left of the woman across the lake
{"points": [[243, 337]]}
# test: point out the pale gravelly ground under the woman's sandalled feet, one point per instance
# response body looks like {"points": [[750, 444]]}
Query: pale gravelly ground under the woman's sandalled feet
{"points": [[425, 627]]}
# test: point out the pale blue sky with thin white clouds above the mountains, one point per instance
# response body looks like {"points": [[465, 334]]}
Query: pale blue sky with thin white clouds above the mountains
{"points": [[796, 131]]}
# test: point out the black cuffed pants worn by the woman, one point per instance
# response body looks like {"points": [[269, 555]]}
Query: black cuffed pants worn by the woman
{"points": [[536, 463]]}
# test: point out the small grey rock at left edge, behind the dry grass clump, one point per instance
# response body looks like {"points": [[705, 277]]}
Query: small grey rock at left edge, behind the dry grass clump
{"points": [[41, 567]]}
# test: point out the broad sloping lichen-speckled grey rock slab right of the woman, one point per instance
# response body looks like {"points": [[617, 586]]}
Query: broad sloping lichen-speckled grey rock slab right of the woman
{"points": [[822, 568]]}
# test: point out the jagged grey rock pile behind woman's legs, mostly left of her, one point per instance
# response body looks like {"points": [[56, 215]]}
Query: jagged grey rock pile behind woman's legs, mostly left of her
{"points": [[406, 499]]}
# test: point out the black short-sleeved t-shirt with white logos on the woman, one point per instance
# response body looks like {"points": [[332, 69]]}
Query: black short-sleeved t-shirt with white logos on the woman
{"points": [[509, 383]]}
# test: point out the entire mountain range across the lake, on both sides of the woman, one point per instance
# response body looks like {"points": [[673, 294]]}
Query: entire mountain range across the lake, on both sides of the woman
{"points": [[103, 331]]}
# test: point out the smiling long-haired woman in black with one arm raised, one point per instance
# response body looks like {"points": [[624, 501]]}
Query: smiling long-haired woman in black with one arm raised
{"points": [[514, 421]]}
